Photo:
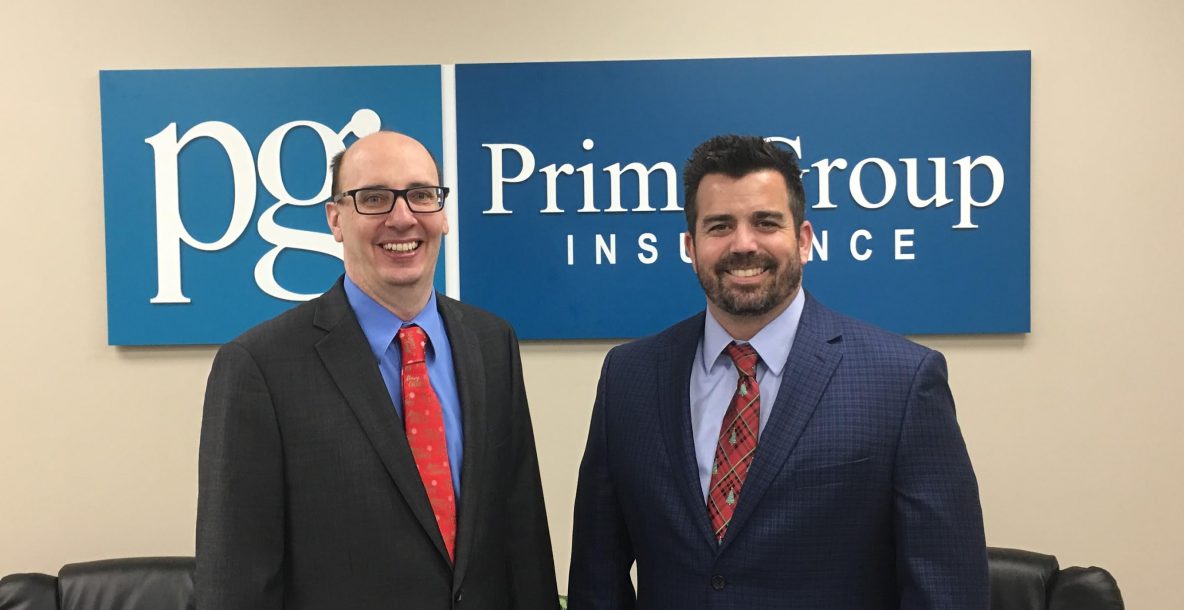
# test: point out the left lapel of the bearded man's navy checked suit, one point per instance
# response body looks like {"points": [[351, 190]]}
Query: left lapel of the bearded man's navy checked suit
{"points": [[674, 409]]}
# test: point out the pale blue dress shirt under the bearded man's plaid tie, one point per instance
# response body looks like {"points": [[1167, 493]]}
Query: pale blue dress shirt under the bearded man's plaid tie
{"points": [[713, 380]]}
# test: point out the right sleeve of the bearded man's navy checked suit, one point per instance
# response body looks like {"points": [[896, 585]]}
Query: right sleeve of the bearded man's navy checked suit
{"points": [[941, 547]]}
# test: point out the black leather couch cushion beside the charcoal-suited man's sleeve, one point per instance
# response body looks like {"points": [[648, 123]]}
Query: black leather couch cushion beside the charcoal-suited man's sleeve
{"points": [[147, 583]]}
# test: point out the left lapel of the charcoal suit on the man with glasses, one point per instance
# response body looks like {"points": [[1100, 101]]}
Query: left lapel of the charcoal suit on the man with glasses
{"points": [[348, 356]]}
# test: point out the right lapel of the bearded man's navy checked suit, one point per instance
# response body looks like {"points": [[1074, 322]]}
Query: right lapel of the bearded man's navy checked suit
{"points": [[813, 361]]}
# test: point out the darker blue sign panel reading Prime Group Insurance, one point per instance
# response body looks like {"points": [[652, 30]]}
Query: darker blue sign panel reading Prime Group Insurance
{"points": [[917, 176]]}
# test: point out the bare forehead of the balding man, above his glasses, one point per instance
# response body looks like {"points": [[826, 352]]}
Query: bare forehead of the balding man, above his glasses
{"points": [[391, 160]]}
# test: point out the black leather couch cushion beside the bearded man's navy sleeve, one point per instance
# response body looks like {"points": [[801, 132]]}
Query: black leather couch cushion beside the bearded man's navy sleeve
{"points": [[1020, 580]]}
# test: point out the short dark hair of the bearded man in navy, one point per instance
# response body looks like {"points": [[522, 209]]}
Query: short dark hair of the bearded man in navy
{"points": [[737, 157]]}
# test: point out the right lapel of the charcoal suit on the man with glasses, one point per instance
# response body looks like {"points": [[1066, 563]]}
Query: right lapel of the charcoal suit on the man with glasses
{"points": [[471, 378]]}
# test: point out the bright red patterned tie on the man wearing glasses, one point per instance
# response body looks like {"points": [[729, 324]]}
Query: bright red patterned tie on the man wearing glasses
{"points": [[424, 425]]}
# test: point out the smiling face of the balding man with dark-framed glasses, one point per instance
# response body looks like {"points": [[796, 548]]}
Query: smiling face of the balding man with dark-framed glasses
{"points": [[391, 258]]}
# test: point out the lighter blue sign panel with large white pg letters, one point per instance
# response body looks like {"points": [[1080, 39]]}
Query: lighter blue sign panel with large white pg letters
{"points": [[215, 183]]}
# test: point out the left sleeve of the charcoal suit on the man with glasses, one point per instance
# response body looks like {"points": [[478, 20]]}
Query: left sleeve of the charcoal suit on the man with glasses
{"points": [[241, 518]]}
